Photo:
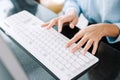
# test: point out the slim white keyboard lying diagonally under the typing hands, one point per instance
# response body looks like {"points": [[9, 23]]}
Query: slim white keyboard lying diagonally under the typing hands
{"points": [[47, 46]]}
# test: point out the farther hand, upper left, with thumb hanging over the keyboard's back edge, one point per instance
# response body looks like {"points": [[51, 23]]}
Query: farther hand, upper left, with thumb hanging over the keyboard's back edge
{"points": [[70, 17]]}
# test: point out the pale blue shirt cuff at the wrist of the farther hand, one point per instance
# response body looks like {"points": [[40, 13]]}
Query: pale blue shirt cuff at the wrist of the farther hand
{"points": [[70, 5]]}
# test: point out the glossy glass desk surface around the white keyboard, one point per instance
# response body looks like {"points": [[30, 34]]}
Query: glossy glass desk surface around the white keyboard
{"points": [[109, 58]]}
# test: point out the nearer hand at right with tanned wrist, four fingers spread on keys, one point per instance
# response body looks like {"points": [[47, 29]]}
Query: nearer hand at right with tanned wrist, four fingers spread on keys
{"points": [[91, 36]]}
